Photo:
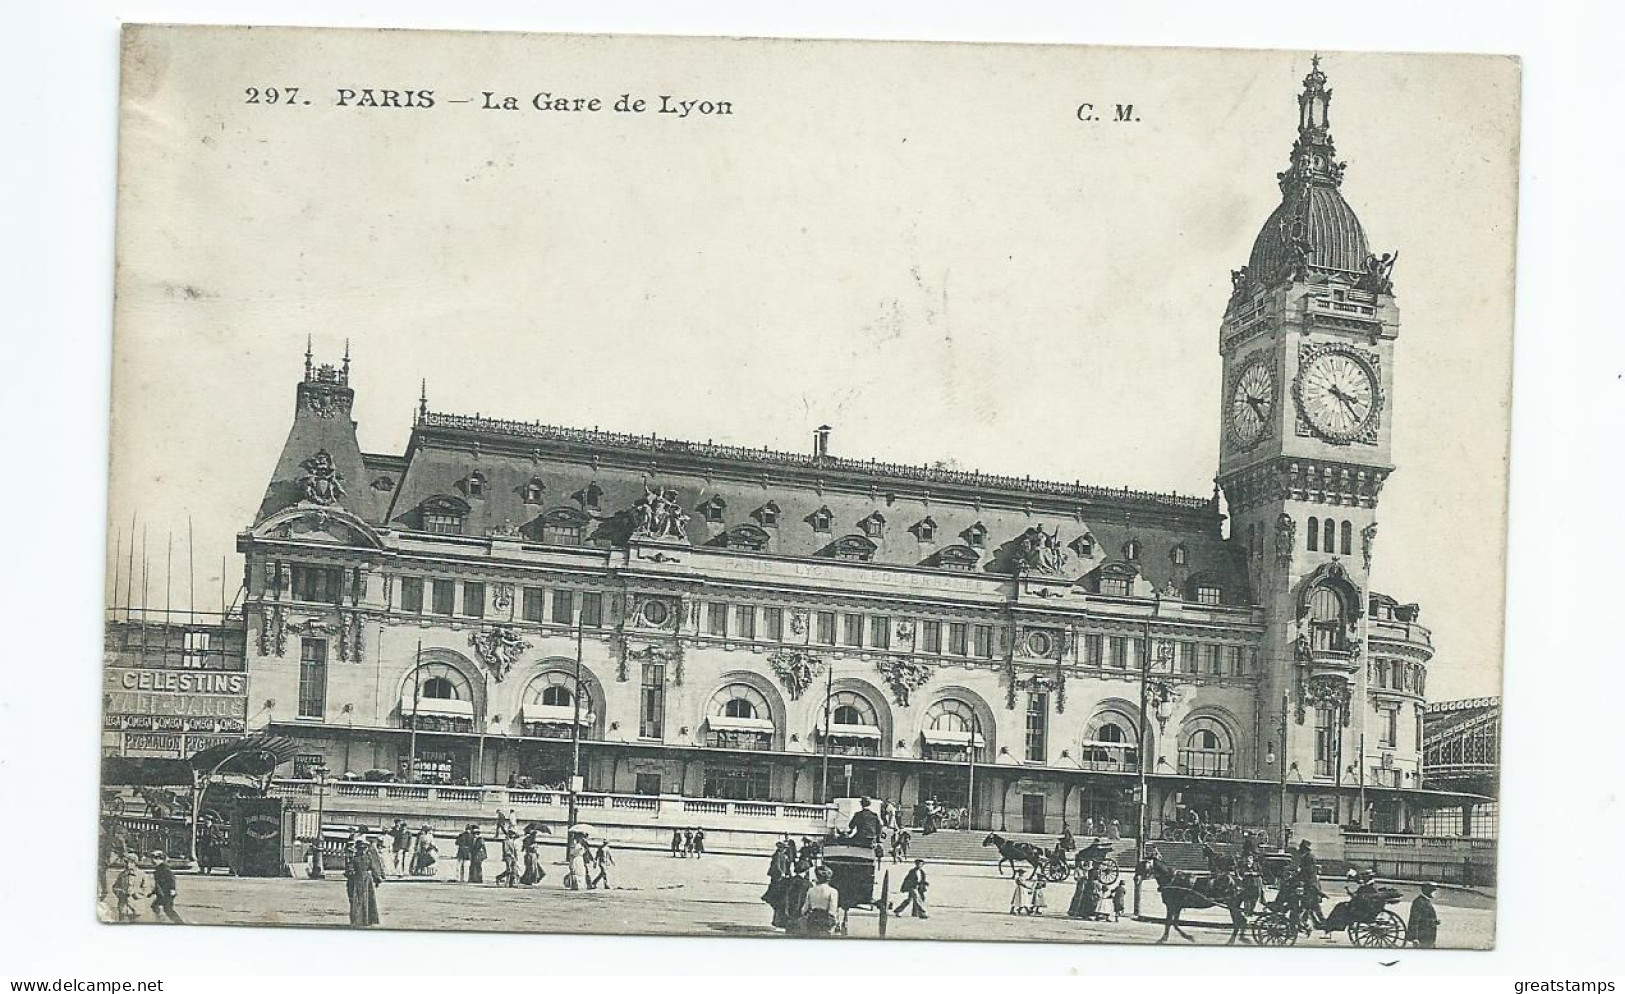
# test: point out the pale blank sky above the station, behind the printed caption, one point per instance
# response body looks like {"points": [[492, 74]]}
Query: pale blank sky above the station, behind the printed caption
{"points": [[922, 246]]}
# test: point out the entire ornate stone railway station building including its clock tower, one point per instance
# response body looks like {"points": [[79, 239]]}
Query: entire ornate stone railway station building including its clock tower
{"points": [[750, 624]]}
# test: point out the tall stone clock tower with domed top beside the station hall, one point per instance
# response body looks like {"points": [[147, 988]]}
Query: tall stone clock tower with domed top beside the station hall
{"points": [[1307, 344]]}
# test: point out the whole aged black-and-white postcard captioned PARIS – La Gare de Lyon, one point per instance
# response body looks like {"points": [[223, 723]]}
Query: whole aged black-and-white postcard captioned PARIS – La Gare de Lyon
{"points": [[808, 490]]}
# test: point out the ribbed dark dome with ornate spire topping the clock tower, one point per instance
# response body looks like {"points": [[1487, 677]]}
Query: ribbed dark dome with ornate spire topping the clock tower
{"points": [[1314, 228]]}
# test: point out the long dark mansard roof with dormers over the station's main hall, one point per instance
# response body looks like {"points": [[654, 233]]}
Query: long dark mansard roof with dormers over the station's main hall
{"points": [[448, 449]]}
